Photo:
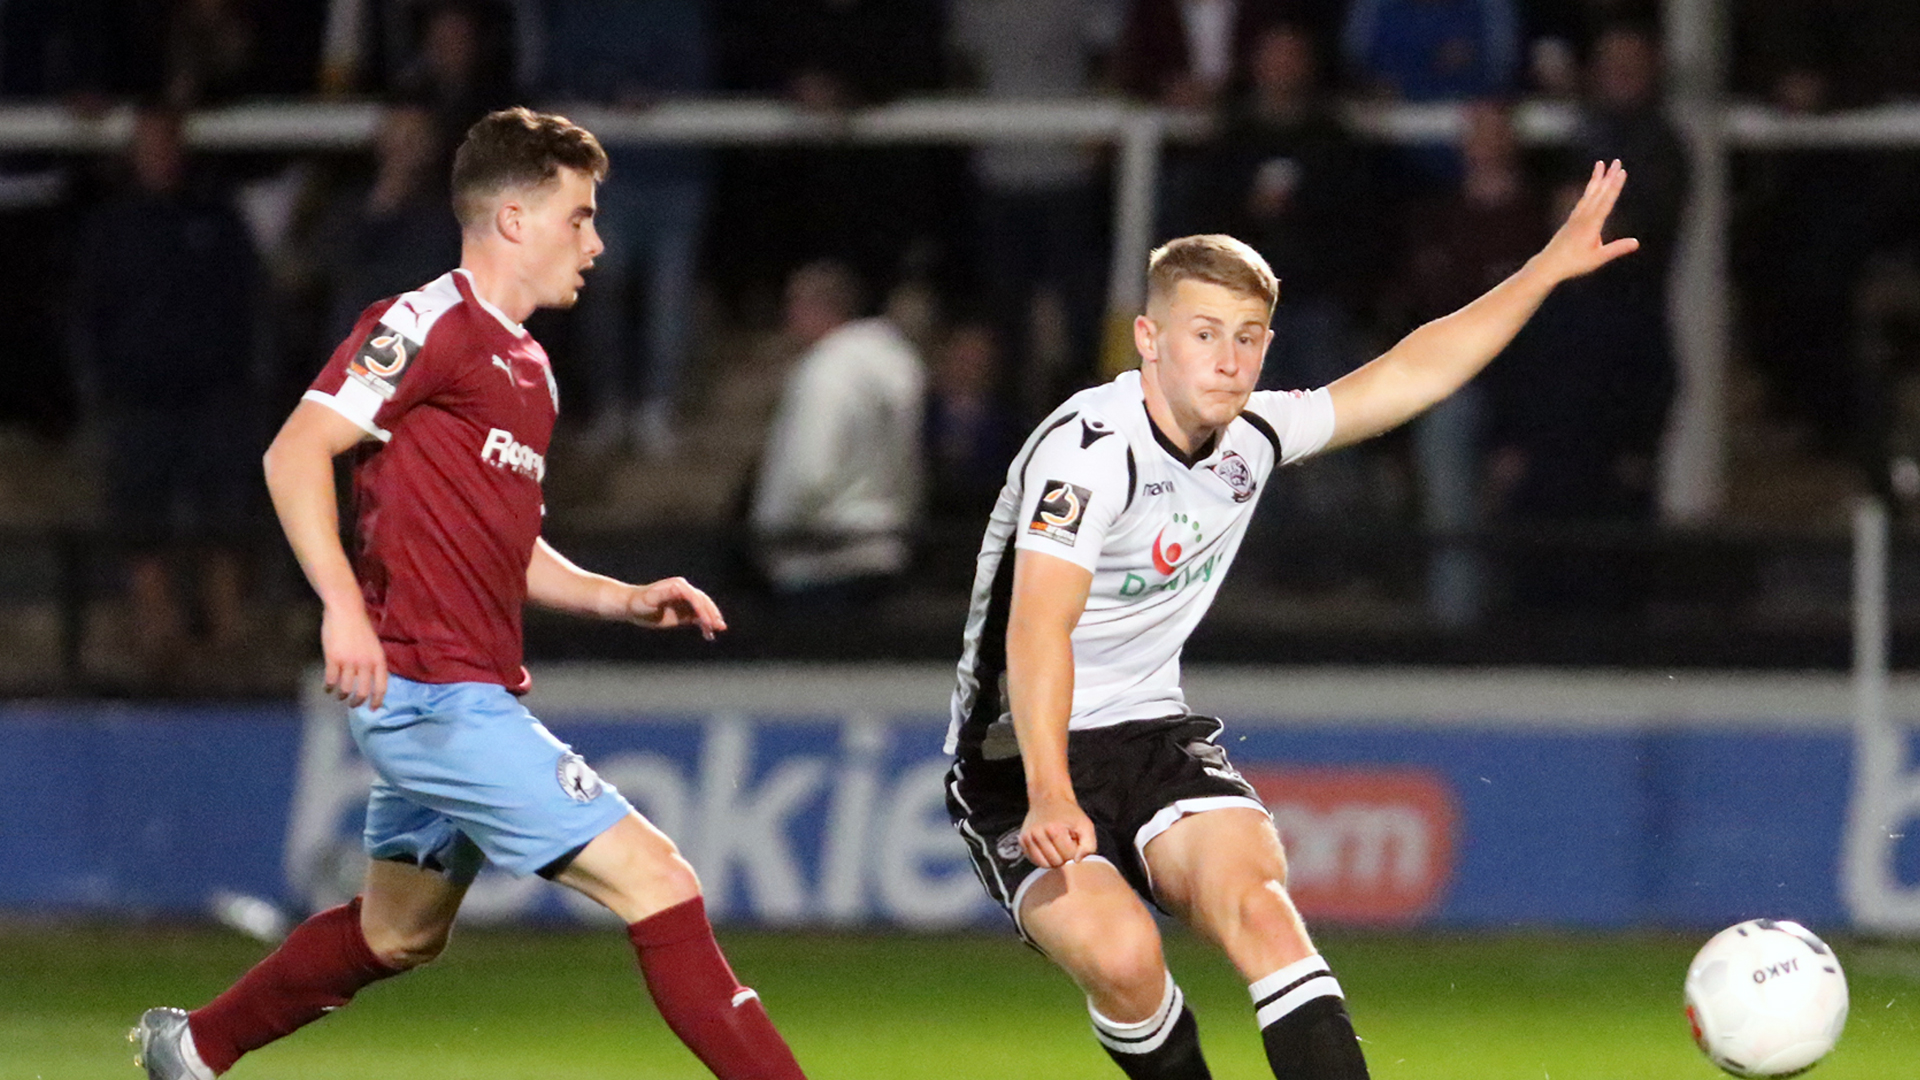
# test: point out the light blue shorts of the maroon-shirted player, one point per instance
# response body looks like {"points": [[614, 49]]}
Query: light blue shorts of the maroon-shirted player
{"points": [[466, 773]]}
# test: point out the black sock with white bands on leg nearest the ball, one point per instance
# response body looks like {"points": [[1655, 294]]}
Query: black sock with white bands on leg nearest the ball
{"points": [[1303, 1019]]}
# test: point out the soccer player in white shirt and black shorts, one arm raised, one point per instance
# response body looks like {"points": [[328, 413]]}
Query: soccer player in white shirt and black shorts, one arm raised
{"points": [[1082, 785]]}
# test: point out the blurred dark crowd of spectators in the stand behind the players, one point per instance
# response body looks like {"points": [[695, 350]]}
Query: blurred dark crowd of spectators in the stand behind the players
{"points": [[921, 307]]}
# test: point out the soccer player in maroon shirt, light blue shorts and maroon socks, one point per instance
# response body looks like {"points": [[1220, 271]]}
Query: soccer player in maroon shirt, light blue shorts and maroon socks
{"points": [[448, 406]]}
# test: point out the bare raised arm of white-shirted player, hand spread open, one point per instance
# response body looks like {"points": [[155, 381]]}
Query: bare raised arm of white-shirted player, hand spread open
{"points": [[1439, 358]]}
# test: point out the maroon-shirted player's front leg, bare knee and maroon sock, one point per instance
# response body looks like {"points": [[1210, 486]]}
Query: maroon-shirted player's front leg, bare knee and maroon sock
{"points": [[635, 871]]}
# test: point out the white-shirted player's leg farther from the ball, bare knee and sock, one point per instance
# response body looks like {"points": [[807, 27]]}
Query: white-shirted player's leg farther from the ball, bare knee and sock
{"points": [[1090, 921]]}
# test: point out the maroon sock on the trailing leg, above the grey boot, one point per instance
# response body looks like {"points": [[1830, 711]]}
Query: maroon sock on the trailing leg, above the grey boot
{"points": [[316, 971]]}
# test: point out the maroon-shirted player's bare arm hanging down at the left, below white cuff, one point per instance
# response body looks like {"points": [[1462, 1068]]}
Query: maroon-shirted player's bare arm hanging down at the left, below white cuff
{"points": [[300, 478]]}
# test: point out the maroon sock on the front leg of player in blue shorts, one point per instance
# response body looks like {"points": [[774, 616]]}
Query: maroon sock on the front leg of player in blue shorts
{"points": [[721, 1021]]}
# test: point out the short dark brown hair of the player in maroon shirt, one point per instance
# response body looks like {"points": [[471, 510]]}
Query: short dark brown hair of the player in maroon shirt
{"points": [[519, 149]]}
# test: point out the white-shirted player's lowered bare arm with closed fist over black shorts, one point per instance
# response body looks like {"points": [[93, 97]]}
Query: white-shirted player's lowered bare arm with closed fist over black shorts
{"points": [[1049, 599]]}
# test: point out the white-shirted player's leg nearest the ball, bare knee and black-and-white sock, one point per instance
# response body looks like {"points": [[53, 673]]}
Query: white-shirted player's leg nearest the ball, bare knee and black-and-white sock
{"points": [[1226, 875]]}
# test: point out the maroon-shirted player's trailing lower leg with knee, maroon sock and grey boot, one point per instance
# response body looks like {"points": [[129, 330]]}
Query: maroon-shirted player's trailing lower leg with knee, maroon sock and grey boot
{"points": [[400, 921]]}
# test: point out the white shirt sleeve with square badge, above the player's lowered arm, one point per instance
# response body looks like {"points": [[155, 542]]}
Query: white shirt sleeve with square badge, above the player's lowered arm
{"points": [[1070, 495]]}
